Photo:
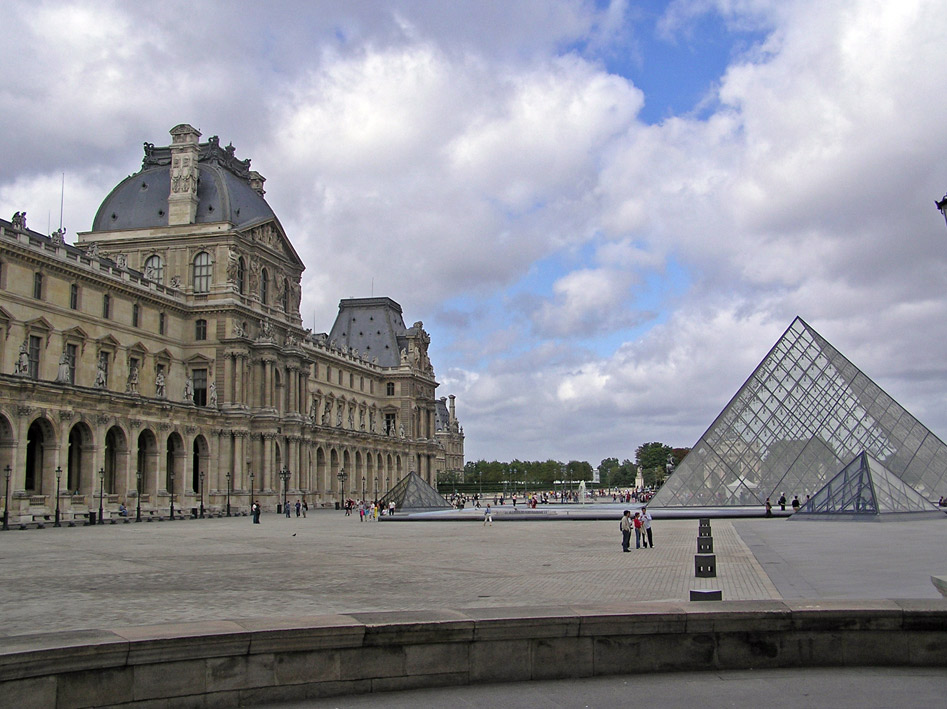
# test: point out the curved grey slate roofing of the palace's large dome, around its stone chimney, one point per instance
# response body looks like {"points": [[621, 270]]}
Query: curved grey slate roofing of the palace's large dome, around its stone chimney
{"points": [[141, 200]]}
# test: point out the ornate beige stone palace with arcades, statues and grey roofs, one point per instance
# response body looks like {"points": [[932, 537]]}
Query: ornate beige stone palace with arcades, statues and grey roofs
{"points": [[161, 360]]}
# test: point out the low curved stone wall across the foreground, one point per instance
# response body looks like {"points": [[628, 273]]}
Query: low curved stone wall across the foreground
{"points": [[248, 662]]}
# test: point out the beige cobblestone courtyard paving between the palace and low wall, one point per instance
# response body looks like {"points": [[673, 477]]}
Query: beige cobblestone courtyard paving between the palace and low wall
{"points": [[132, 574]]}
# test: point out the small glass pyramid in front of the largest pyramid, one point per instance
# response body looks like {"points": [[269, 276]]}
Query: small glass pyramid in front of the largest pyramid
{"points": [[865, 489]]}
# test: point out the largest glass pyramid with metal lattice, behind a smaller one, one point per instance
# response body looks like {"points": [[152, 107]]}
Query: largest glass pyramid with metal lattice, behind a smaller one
{"points": [[802, 415]]}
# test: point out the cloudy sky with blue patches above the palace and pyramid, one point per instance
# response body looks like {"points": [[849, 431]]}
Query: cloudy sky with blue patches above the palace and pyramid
{"points": [[605, 213]]}
